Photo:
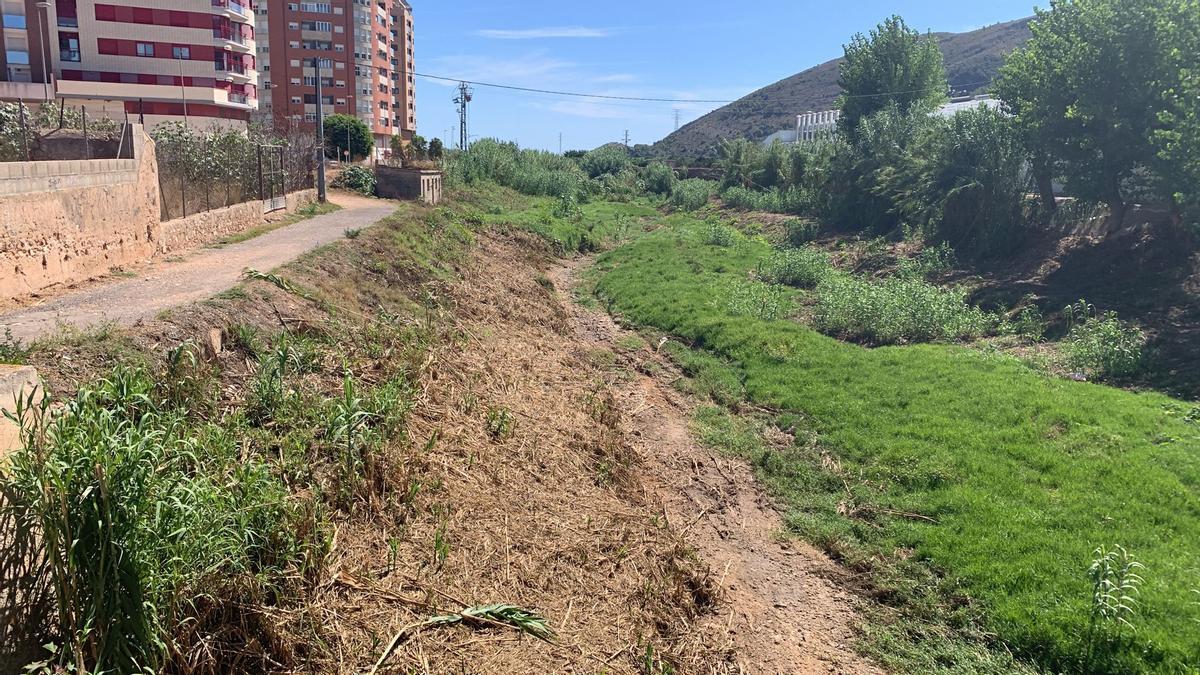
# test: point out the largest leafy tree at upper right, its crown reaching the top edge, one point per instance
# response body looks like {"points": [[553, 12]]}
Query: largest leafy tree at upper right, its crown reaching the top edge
{"points": [[1087, 93]]}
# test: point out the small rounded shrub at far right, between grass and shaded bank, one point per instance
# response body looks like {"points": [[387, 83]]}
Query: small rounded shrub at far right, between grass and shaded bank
{"points": [[1101, 345]]}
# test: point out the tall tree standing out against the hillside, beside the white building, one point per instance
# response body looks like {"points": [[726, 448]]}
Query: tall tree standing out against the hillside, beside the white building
{"points": [[893, 65]]}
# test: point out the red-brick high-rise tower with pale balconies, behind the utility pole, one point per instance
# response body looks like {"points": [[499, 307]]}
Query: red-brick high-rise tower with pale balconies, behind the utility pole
{"points": [[361, 50]]}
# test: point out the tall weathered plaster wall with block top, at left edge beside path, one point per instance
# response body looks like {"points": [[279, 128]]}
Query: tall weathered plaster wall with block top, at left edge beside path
{"points": [[68, 222]]}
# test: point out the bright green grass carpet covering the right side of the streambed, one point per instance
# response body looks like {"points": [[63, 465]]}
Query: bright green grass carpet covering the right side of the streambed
{"points": [[951, 470]]}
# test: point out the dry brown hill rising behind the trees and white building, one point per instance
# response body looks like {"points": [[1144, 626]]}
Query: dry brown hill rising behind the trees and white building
{"points": [[973, 61]]}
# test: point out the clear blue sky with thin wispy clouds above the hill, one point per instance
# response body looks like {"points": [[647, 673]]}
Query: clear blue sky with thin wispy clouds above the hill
{"points": [[700, 50]]}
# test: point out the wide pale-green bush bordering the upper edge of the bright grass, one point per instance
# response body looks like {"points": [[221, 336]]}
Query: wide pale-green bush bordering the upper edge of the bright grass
{"points": [[896, 310]]}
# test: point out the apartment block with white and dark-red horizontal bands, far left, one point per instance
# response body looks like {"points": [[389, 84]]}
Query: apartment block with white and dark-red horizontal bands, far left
{"points": [[165, 61]]}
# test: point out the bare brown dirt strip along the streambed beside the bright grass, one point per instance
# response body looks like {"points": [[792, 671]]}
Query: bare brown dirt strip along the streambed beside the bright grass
{"points": [[788, 617]]}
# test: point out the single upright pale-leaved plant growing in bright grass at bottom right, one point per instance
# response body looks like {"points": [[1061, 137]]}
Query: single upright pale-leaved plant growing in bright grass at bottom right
{"points": [[1115, 580]]}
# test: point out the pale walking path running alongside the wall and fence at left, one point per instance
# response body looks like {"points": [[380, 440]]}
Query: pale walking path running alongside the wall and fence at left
{"points": [[202, 274]]}
